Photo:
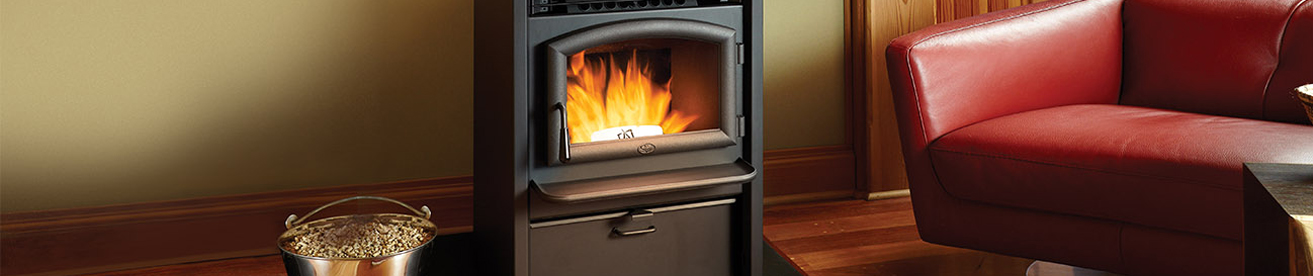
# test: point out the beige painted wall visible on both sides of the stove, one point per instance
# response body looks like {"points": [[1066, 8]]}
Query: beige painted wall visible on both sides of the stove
{"points": [[112, 102]]}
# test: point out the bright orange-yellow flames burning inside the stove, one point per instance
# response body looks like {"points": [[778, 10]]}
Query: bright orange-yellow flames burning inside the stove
{"points": [[601, 95]]}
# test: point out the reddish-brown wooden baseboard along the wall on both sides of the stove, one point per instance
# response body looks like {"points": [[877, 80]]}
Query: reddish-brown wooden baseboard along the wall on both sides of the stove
{"points": [[149, 235]]}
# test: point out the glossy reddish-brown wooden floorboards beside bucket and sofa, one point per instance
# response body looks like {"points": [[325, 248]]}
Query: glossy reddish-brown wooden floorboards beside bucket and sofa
{"points": [[837, 239]]}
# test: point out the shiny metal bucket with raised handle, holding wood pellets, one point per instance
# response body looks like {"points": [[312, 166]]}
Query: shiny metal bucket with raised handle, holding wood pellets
{"points": [[396, 264]]}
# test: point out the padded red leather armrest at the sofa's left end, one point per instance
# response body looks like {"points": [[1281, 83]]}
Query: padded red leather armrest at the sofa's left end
{"points": [[1047, 55]]}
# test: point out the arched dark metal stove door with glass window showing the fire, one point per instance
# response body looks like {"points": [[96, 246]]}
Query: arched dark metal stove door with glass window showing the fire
{"points": [[641, 87]]}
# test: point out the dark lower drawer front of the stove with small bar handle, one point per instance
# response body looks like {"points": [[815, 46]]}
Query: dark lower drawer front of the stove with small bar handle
{"points": [[691, 240]]}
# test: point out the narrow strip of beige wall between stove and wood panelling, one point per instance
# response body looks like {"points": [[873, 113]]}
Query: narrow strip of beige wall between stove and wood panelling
{"points": [[804, 73]]}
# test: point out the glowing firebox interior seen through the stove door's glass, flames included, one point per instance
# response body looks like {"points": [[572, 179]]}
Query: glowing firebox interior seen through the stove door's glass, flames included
{"points": [[631, 90]]}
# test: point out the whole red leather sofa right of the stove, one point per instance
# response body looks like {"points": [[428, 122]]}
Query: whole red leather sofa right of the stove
{"points": [[1102, 133]]}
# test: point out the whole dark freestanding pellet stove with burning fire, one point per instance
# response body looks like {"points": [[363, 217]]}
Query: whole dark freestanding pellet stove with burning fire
{"points": [[618, 137]]}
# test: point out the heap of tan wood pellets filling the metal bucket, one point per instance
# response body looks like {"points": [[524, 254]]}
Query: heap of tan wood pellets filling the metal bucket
{"points": [[359, 239]]}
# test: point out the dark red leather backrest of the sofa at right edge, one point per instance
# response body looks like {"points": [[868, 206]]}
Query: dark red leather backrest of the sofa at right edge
{"points": [[1213, 57]]}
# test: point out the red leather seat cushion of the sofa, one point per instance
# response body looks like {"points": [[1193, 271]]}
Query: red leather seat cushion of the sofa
{"points": [[1151, 168]]}
